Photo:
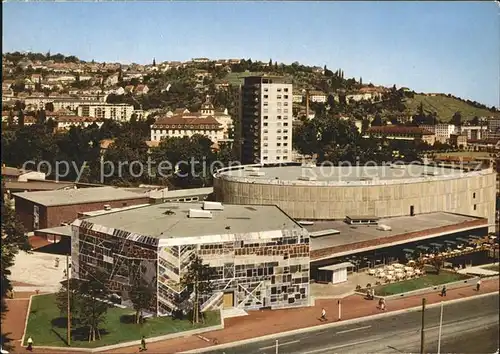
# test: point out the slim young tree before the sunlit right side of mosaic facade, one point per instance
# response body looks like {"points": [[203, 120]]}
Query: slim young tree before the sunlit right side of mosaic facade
{"points": [[197, 281]]}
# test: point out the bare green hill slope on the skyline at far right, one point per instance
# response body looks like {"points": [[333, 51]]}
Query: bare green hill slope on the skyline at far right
{"points": [[445, 107]]}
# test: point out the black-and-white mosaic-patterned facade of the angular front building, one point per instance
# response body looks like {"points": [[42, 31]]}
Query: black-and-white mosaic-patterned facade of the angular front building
{"points": [[269, 269]]}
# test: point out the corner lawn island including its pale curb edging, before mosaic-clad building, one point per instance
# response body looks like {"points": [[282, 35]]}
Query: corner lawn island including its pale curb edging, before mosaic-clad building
{"points": [[48, 329]]}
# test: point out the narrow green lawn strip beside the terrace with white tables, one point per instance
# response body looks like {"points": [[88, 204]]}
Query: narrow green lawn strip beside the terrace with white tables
{"points": [[426, 281]]}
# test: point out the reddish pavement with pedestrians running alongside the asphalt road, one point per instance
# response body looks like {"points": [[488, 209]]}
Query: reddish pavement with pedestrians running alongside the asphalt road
{"points": [[261, 323]]}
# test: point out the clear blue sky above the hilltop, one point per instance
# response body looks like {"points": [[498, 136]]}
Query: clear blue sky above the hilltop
{"points": [[450, 47]]}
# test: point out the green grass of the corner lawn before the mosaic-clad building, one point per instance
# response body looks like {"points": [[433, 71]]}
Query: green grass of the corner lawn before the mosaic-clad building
{"points": [[47, 328]]}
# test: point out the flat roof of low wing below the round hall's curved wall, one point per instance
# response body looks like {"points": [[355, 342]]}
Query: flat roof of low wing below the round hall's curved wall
{"points": [[350, 234]]}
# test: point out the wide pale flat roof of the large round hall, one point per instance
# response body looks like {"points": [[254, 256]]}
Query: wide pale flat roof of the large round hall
{"points": [[348, 175]]}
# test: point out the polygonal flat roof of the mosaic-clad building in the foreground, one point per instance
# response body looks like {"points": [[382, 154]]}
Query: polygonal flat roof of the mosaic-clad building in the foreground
{"points": [[154, 222]]}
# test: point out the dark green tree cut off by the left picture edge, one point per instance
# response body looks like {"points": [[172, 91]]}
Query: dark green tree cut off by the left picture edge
{"points": [[13, 241]]}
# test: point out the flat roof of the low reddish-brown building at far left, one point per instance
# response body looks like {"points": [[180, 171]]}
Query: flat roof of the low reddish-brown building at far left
{"points": [[78, 196]]}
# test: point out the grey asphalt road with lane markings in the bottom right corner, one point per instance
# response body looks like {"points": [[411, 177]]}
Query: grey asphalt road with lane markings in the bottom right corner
{"points": [[468, 327]]}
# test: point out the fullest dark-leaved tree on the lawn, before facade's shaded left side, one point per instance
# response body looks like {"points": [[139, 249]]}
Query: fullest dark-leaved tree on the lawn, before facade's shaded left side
{"points": [[92, 309]]}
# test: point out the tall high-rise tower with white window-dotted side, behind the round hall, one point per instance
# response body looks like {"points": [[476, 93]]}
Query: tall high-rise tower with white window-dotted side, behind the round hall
{"points": [[266, 119]]}
